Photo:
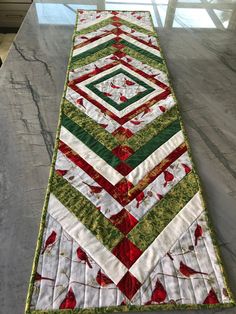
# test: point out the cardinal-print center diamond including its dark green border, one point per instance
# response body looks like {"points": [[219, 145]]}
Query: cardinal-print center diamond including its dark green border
{"points": [[120, 89]]}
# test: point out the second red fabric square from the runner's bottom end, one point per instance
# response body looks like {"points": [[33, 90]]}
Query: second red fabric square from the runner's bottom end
{"points": [[126, 252]]}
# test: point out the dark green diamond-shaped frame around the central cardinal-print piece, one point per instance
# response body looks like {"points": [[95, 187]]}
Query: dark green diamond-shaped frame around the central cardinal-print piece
{"points": [[121, 106]]}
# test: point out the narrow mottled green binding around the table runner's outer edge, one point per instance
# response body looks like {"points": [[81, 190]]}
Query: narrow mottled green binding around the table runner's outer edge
{"points": [[124, 308]]}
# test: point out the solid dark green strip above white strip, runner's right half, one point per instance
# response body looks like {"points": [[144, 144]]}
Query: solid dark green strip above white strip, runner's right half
{"points": [[147, 149]]}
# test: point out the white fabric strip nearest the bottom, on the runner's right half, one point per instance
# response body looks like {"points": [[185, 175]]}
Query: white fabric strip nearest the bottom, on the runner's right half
{"points": [[171, 233]]}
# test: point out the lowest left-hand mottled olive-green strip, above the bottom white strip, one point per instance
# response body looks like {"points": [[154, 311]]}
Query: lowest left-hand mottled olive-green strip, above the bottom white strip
{"points": [[86, 212]]}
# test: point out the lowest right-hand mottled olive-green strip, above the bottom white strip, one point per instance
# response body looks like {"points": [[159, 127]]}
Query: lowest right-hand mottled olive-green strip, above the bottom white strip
{"points": [[163, 212]]}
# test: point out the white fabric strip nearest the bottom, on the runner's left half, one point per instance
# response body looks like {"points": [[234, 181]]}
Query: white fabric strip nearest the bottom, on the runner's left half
{"points": [[86, 240]]}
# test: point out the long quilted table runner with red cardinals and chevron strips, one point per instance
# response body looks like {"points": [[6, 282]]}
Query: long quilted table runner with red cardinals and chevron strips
{"points": [[124, 226]]}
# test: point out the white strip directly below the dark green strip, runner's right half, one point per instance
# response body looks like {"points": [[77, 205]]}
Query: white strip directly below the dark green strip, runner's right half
{"points": [[156, 157]]}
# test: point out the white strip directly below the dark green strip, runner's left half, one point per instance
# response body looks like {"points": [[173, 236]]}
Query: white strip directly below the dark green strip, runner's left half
{"points": [[93, 159]]}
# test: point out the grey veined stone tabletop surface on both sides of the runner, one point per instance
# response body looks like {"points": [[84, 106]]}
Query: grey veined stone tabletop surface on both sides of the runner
{"points": [[202, 64]]}
